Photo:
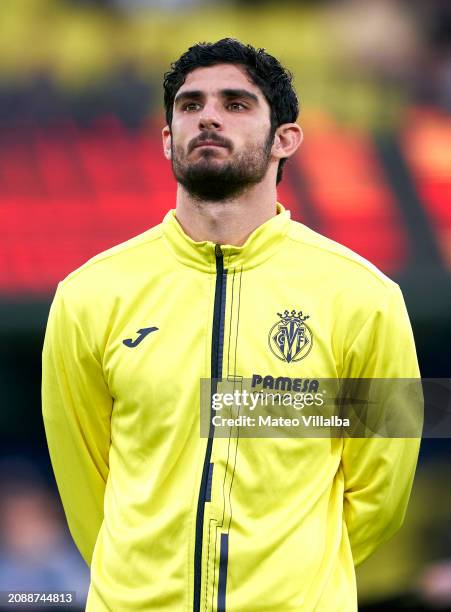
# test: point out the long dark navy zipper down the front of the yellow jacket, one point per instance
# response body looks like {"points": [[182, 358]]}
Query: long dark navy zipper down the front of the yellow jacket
{"points": [[217, 344]]}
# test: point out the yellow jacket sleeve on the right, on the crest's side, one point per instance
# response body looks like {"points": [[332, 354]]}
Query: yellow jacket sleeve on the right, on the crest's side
{"points": [[378, 472]]}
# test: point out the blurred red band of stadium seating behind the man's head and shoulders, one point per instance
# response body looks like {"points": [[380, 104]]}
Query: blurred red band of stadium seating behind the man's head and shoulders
{"points": [[68, 192]]}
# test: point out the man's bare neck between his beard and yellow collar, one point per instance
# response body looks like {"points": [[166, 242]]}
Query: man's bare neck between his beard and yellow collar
{"points": [[229, 221]]}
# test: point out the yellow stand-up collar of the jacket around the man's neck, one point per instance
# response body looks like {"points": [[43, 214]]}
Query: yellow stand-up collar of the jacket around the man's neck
{"points": [[262, 243]]}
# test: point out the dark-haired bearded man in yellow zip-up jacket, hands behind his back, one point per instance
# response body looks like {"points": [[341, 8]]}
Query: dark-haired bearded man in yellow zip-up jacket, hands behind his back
{"points": [[221, 289]]}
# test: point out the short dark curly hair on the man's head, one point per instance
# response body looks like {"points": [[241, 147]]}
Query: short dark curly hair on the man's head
{"points": [[264, 70]]}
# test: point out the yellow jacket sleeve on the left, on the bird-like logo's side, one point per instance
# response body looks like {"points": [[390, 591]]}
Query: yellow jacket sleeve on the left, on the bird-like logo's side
{"points": [[76, 408]]}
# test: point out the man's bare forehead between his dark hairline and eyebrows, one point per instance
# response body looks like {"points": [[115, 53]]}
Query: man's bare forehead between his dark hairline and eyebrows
{"points": [[211, 79]]}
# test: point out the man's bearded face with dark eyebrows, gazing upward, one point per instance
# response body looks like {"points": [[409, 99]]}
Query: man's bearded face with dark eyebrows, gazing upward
{"points": [[220, 139]]}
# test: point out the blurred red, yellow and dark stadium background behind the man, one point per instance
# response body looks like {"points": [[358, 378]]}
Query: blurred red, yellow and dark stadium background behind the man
{"points": [[81, 169]]}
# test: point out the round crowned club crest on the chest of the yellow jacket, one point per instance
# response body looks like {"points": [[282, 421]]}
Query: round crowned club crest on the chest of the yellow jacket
{"points": [[290, 339]]}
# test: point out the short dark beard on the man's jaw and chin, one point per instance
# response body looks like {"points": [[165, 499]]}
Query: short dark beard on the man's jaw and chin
{"points": [[207, 180]]}
